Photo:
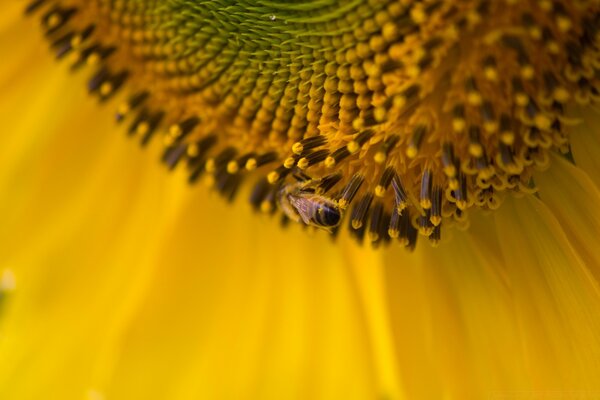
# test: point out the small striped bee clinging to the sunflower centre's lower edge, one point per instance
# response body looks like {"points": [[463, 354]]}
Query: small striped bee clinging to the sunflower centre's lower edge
{"points": [[301, 202]]}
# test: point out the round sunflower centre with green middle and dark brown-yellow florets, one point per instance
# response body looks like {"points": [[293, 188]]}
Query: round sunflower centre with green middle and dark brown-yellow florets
{"points": [[390, 117]]}
